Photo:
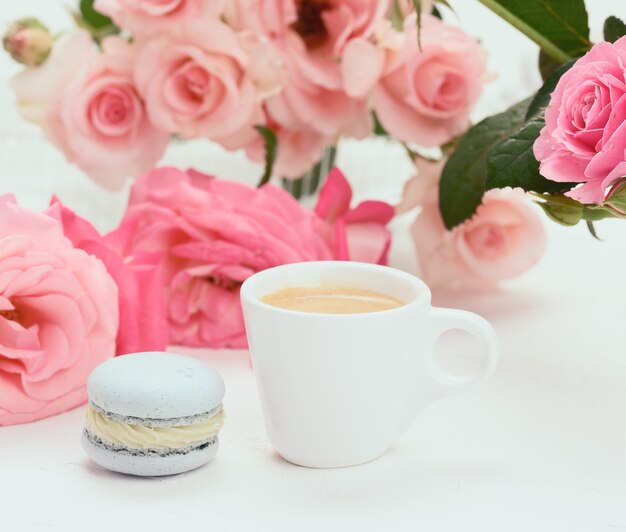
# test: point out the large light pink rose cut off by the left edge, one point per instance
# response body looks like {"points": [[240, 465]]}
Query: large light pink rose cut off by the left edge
{"points": [[58, 316]]}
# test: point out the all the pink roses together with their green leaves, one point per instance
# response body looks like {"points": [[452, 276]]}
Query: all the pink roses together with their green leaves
{"points": [[284, 81]]}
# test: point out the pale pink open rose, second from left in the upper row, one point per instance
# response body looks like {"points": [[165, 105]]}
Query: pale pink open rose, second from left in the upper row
{"points": [[197, 81]]}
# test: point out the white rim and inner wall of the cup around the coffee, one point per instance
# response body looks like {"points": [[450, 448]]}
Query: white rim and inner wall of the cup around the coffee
{"points": [[251, 284]]}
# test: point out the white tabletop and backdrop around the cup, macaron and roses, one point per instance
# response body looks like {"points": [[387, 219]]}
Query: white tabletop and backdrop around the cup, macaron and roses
{"points": [[542, 447]]}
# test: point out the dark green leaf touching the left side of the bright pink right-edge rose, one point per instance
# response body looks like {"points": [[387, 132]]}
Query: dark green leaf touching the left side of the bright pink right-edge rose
{"points": [[511, 163]]}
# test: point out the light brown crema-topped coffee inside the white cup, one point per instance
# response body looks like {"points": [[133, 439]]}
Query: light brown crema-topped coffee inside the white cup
{"points": [[331, 300]]}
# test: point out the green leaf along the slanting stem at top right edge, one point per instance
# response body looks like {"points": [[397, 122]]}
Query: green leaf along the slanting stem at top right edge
{"points": [[559, 27]]}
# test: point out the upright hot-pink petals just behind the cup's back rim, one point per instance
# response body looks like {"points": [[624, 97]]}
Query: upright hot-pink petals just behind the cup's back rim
{"points": [[358, 234]]}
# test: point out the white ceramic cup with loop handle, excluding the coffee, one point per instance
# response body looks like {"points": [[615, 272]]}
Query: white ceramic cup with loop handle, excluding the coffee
{"points": [[340, 389]]}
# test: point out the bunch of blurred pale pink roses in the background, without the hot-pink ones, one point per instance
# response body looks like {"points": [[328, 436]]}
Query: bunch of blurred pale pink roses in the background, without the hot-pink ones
{"points": [[284, 81]]}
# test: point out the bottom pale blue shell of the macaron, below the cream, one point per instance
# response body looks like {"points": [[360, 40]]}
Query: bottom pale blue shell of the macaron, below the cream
{"points": [[148, 466]]}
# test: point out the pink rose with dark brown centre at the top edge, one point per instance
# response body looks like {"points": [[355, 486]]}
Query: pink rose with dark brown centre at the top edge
{"points": [[314, 37]]}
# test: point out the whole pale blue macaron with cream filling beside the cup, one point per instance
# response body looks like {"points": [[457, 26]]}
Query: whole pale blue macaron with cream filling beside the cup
{"points": [[153, 414]]}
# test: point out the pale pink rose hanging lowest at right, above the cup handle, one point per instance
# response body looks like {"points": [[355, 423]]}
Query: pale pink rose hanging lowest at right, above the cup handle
{"points": [[501, 241]]}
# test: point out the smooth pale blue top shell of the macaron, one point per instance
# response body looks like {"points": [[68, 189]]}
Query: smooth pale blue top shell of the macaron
{"points": [[155, 385]]}
